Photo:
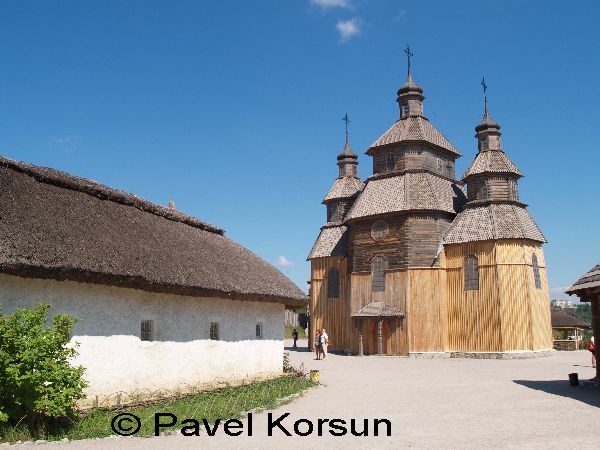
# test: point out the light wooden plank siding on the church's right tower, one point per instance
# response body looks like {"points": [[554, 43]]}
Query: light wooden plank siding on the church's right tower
{"points": [[507, 313]]}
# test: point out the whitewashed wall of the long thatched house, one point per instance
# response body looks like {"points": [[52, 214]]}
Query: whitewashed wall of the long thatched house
{"points": [[181, 352]]}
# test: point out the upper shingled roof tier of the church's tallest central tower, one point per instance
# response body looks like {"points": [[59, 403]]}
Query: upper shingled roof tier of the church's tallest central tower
{"points": [[414, 129]]}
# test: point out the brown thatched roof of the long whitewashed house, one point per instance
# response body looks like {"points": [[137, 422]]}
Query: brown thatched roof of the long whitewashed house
{"points": [[57, 226]]}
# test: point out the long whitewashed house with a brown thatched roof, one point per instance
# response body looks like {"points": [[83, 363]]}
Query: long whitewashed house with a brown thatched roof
{"points": [[164, 299]]}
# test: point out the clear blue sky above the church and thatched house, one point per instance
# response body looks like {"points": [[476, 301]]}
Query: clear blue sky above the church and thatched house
{"points": [[233, 108]]}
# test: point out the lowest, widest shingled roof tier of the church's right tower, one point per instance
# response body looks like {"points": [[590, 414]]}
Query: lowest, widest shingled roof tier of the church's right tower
{"points": [[493, 221]]}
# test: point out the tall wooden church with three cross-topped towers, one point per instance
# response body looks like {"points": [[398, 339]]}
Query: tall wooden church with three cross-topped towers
{"points": [[413, 261]]}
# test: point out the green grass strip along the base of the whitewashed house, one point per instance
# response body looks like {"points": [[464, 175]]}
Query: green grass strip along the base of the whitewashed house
{"points": [[226, 403]]}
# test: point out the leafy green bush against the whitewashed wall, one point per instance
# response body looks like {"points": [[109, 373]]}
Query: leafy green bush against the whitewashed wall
{"points": [[36, 380]]}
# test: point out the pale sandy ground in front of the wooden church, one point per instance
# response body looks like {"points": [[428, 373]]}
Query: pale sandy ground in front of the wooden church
{"points": [[443, 403]]}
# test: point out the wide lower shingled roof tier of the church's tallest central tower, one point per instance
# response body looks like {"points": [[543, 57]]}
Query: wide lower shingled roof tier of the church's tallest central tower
{"points": [[410, 191]]}
